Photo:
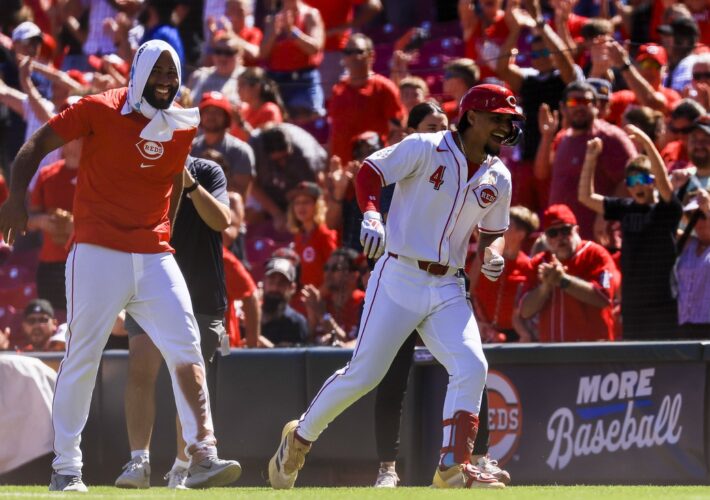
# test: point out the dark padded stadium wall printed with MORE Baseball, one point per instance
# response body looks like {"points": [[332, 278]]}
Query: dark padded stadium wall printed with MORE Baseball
{"points": [[596, 413]]}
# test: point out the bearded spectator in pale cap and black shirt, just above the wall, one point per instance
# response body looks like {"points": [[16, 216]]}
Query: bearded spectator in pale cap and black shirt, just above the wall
{"points": [[280, 323]]}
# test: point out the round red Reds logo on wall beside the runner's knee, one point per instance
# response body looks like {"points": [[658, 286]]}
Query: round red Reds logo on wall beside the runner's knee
{"points": [[505, 416]]}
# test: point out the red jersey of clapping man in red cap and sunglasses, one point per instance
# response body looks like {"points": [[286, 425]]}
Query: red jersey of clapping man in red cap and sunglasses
{"points": [[564, 318]]}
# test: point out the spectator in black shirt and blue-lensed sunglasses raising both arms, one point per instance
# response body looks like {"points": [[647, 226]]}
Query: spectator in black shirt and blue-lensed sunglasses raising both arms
{"points": [[648, 227]]}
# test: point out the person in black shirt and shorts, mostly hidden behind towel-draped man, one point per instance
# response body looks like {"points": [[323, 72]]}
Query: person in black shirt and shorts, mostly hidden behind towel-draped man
{"points": [[197, 239]]}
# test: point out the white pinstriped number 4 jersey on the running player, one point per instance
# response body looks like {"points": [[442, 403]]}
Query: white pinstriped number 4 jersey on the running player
{"points": [[435, 208]]}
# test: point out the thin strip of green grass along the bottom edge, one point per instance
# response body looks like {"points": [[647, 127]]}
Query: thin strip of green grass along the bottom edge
{"points": [[515, 492]]}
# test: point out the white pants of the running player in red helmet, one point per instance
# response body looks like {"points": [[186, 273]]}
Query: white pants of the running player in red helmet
{"points": [[399, 299]]}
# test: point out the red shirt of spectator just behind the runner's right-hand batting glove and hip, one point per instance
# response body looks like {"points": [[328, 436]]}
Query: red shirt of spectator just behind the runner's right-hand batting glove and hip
{"points": [[497, 299]]}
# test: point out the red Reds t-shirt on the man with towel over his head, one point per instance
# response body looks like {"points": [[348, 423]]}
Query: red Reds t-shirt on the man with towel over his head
{"points": [[124, 182]]}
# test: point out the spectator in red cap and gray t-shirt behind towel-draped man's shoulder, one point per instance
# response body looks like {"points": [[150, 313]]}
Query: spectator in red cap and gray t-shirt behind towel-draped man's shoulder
{"points": [[215, 119]]}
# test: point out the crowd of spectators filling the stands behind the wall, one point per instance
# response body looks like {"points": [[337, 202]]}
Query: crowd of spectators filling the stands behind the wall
{"points": [[609, 236]]}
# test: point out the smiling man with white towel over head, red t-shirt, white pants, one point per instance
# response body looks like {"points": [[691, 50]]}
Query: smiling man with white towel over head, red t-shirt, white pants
{"points": [[130, 176]]}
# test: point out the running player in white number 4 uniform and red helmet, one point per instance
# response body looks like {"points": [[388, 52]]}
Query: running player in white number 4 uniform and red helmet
{"points": [[446, 185]]}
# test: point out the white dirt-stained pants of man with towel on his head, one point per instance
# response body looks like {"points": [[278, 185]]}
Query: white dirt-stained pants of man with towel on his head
{"points": [[100, 282]]}
